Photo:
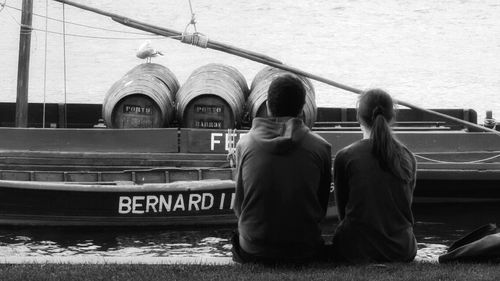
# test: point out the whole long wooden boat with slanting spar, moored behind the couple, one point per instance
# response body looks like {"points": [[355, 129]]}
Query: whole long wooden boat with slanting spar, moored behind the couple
{"points": [[69, 168]]}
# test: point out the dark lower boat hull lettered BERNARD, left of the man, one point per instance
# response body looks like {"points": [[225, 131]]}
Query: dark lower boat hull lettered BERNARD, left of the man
{"points": [[182, 203]]}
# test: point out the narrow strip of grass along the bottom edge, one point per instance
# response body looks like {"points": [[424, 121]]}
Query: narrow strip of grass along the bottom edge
{"points": [[413, 271]]}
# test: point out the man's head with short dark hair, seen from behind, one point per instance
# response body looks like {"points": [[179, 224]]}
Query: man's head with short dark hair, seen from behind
{"points": [[286, 96]]}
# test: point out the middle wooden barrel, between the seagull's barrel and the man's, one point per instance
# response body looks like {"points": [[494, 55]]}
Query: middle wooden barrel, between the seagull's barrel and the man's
{"points": [[213, 97]]}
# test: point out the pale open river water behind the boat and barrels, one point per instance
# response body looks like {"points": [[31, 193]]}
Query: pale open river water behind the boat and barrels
{"points": [[435, 54]]}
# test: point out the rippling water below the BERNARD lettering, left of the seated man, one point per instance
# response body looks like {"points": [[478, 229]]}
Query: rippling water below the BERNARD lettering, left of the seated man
{"points": [[114, 242]]}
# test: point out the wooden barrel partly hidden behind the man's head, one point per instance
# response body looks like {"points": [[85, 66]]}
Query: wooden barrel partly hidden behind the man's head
{"points": [[256, 102]]}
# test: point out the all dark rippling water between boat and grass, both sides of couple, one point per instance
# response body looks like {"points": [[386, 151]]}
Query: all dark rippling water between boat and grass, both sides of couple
{"points": [[436, 227]]}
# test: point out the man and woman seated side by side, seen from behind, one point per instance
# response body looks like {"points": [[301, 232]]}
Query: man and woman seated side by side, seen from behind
{"points": [[283, 184]]}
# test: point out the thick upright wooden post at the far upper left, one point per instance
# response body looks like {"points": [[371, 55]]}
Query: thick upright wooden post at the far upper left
{"points": [[23, 68]]}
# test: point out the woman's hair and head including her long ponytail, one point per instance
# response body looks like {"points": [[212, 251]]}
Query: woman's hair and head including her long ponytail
{"points": [[376, 110]]}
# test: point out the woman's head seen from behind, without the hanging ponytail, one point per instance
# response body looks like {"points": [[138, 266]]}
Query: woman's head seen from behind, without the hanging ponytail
{"points": [[373, 104]]}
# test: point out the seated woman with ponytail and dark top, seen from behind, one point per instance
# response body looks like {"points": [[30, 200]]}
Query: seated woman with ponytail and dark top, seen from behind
{"points": [[374, 181]]}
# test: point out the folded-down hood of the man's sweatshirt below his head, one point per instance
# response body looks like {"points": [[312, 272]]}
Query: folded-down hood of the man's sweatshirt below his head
{"points": [[278, 135]]}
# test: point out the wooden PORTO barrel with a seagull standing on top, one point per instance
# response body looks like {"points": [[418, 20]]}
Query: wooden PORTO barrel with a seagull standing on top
{"points": [[143, 98]]}
